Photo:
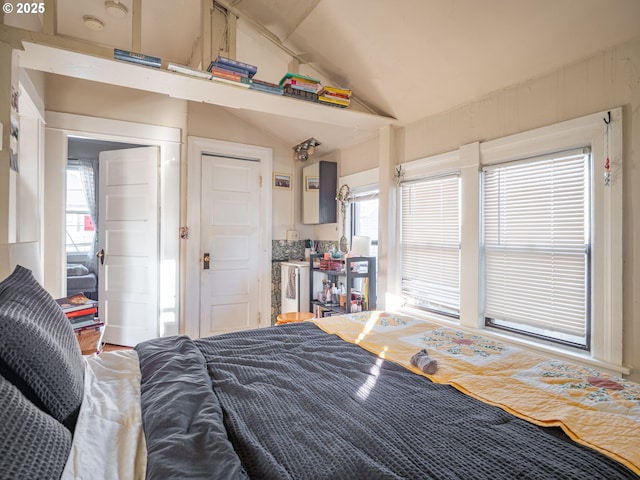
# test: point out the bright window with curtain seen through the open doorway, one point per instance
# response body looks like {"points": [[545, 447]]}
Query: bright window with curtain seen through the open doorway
{"points": [[80, 229]]}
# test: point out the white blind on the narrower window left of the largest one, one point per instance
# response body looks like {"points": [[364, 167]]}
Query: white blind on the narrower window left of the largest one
{"points": [[430, 243]]}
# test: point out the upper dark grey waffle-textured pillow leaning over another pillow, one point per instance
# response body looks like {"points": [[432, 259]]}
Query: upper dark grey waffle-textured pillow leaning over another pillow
{"points": [[39, 353]]}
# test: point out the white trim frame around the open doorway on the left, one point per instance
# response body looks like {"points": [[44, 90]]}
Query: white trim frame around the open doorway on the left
{"points": [[60, 130]]}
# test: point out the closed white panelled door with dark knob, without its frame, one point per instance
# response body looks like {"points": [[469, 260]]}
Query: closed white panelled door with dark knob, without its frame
{"points": [[229, 244]]}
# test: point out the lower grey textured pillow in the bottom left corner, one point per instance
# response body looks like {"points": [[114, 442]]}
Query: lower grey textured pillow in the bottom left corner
{"points": [[33, 444]]}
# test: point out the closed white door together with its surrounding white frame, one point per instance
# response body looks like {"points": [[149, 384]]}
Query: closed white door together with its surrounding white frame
{"points": [[203, 154]]}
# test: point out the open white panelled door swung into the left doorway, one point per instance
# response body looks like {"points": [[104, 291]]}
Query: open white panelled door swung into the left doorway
{"points": [[128, 240]]}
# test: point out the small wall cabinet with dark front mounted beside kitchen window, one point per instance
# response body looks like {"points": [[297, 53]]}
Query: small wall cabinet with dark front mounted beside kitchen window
{"points": [[319, 187]]}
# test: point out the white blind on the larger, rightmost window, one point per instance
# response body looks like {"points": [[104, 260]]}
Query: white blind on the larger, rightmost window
{"points": [[537, 246]]}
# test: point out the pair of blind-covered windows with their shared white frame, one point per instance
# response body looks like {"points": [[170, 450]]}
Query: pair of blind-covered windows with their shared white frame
{"points": [[538, 238]]}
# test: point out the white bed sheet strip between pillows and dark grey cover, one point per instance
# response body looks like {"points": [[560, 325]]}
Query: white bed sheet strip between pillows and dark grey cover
{"points": [[108, 442]]}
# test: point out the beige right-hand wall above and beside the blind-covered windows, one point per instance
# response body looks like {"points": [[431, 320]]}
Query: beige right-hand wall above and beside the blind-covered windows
{"points": [[609, 79]]}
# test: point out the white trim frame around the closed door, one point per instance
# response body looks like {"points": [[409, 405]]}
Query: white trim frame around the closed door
{"points": [[196, 147]]}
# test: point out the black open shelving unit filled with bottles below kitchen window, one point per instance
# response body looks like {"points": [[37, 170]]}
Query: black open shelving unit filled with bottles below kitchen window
{"points": [[348, 271]]}
